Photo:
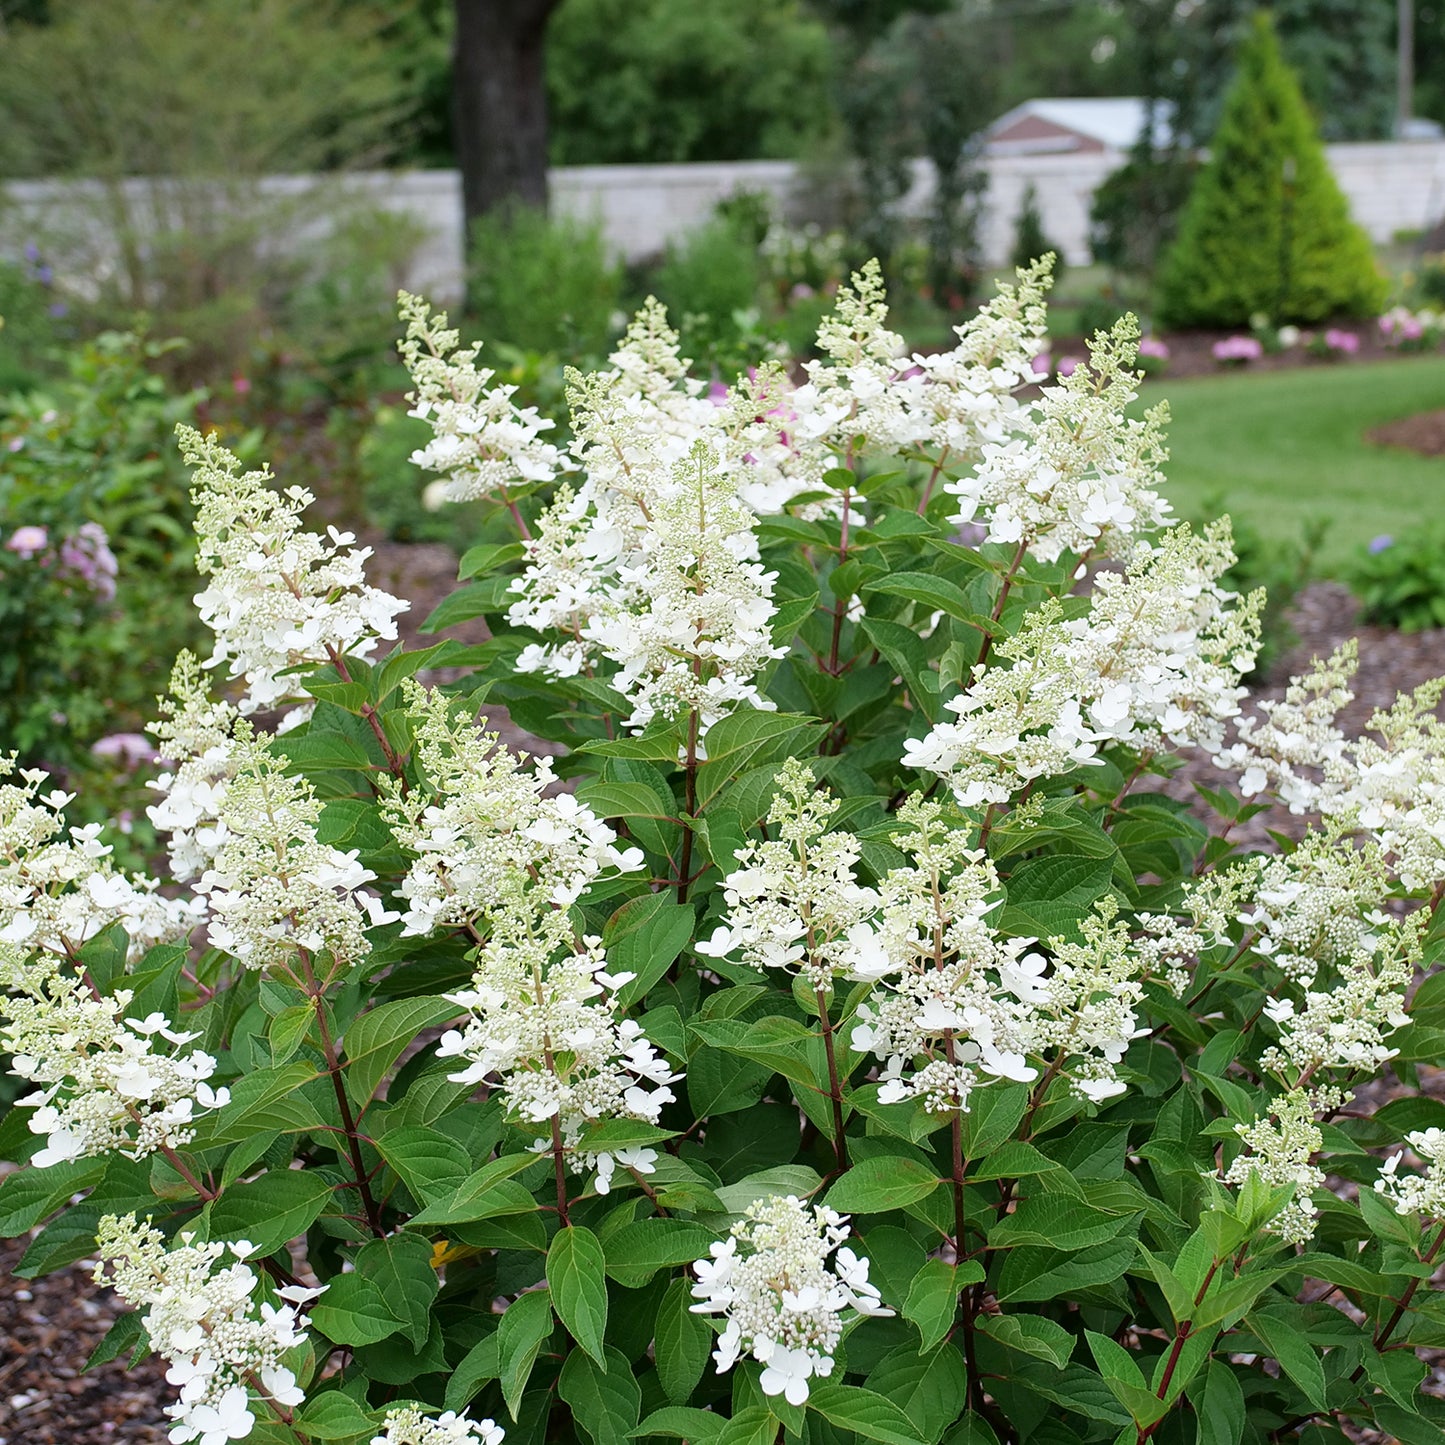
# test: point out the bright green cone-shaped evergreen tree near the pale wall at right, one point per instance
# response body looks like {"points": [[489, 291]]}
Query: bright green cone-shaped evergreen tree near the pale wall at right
{"points": [[1267, 228]]}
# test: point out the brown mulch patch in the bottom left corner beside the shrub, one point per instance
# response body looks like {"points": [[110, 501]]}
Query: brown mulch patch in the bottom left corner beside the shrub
{"points": [[48, 1330]]}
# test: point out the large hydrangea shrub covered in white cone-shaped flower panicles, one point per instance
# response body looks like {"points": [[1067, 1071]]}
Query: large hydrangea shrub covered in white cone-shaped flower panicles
{"points": [[842, 1040]]}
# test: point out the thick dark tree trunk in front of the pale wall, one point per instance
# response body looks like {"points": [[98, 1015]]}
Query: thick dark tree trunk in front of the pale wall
{"points": [[499, 103]]}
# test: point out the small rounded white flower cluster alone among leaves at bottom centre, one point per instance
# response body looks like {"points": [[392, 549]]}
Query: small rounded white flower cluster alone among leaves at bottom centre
{"points": [[785, 1281]]}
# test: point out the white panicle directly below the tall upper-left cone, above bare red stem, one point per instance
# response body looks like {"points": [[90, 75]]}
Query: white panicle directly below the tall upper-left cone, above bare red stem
{"points": [[275, 891]]}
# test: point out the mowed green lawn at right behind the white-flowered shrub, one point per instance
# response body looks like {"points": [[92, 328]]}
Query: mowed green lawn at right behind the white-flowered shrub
{"points": [[1287, 447]]}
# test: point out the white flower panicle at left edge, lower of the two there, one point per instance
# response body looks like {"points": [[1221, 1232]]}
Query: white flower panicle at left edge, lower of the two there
{"points": [[105, 1084]]}
